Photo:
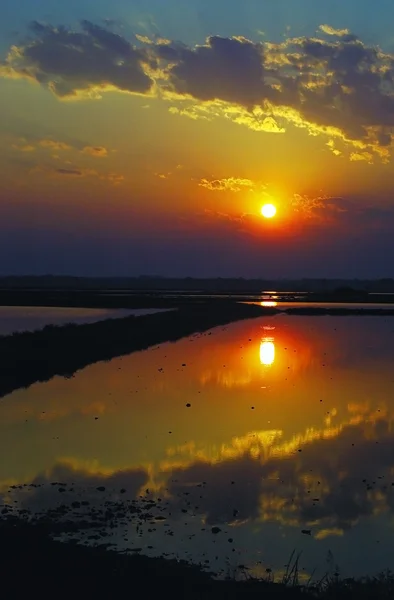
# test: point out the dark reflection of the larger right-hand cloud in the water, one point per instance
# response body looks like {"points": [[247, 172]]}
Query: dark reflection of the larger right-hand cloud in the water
{"points": [[332, 483]]}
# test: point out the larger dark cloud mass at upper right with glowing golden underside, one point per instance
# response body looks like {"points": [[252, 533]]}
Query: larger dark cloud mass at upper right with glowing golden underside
{"points": [[341, 84]]}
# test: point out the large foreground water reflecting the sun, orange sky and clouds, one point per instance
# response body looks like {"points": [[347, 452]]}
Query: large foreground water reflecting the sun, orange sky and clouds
{"points": [[290, 428]]}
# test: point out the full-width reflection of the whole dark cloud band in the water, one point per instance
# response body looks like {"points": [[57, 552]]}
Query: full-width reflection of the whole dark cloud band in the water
{"points": [[329, 481]]}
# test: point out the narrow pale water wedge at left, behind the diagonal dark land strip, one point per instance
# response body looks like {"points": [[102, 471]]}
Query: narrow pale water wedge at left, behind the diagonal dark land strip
{"points": [[30, 318]]}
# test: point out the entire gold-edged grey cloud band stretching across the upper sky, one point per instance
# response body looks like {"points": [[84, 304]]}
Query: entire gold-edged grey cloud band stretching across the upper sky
{"points": [[338, 86]]}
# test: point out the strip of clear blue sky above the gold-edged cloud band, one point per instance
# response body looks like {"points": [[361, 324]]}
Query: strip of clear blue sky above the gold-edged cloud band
{"points": [[192, 20]]}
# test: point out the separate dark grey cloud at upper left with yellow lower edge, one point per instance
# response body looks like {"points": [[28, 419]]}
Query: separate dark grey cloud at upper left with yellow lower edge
{"points": [[73, 64]]}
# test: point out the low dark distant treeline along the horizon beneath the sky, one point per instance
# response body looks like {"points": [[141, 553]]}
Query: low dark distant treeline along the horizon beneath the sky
{"points": [[190, 284]]}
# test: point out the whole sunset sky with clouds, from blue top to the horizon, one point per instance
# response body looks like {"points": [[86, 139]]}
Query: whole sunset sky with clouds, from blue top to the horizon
{"points": [[142, 137]]}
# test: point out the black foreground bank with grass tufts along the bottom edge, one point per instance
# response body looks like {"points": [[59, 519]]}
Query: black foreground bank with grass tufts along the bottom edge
{"points": [[33, 563]]}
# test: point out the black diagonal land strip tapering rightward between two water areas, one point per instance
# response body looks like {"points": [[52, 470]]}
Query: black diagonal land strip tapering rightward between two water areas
{"points": [[30, 357]]}
